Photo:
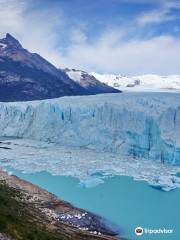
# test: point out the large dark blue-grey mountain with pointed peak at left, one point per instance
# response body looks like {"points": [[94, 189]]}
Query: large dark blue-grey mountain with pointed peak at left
{"points": [[27, 76]]}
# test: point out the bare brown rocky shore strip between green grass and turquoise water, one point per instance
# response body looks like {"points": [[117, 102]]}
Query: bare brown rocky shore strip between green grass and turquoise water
{"points": [[57, 215]]}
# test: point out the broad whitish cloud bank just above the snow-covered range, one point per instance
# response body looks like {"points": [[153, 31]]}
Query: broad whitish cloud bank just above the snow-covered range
{"points": [[156, 55]]}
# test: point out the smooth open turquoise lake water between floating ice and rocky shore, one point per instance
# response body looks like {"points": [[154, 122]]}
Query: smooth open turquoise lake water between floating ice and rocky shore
{"points": [[122, 200]]}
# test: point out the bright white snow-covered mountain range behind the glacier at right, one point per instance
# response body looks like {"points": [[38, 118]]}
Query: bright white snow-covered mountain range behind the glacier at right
{"points": [[140, 83]]}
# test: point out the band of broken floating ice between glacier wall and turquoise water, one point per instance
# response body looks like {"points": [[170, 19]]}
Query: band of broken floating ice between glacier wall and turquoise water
{"points": [[90, 167]]}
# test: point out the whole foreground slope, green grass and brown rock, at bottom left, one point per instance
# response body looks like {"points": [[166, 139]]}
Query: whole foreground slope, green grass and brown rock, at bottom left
{"points": [[28, 212]]}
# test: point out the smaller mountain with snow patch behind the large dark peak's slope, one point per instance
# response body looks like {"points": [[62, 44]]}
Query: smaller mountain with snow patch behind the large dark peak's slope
{"points": [[89, 82]]}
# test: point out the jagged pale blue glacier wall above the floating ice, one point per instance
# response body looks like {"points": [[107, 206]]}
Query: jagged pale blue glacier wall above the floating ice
{"points": [[142, 125]]}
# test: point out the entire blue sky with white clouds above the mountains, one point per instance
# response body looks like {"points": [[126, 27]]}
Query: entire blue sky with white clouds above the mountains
{"points": [[128, 37]]}
